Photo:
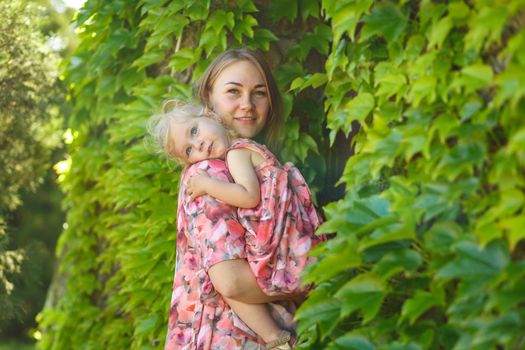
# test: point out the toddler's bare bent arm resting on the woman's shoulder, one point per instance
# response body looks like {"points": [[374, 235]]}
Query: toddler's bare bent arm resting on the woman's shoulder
{"points": [[244, 193]]}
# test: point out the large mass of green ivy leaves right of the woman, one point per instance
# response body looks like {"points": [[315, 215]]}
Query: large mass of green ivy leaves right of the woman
{"points": [[429, 248]]}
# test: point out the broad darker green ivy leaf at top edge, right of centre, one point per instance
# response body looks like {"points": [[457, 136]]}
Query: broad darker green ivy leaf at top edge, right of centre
{"points": [[387, 20]]}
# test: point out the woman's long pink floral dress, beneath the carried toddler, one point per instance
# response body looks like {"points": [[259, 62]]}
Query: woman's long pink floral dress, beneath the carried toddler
{"points": [[207, 233]]}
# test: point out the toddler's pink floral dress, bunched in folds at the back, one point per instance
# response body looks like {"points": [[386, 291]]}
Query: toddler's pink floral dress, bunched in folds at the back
{"points": [[280, 231]]}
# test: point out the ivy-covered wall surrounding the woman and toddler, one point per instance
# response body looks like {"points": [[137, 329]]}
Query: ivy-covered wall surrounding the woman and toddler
{"points": [[428, 251]]}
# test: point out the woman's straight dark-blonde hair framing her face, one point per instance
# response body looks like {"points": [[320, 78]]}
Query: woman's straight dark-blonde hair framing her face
{"points": [[270, 134]]}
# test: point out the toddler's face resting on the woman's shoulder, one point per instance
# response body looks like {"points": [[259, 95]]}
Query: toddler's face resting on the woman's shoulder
{"points": [[198, 139]]}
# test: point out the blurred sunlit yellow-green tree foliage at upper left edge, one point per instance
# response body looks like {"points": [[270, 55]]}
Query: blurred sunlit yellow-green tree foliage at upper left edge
{"points": [[27, 79]]}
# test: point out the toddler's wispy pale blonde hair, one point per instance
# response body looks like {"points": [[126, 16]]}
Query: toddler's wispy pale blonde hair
{"points": [[176, 112]]}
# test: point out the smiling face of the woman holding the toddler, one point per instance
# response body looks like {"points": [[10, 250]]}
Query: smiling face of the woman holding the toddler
{"points": [[240, 96]]}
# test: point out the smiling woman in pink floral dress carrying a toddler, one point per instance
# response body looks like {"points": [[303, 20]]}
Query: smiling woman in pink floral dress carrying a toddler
{"points": [[211, 260]]}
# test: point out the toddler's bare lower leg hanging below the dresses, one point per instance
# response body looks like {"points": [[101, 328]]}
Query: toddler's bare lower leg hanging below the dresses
{"points": [[257, 317]]}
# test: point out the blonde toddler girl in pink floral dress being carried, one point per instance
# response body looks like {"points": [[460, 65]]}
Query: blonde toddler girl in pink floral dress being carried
{"points": [[274, 203]]}
